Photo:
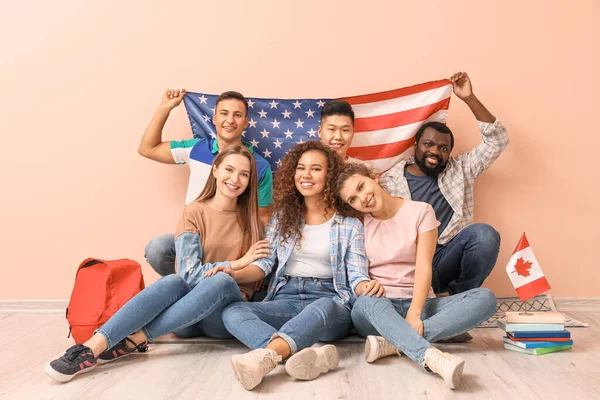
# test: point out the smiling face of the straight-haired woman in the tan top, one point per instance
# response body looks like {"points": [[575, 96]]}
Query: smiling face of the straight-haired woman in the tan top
{"points": [[232, 175]]}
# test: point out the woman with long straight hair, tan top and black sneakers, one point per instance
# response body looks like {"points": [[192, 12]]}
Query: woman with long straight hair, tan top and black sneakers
{"points": [[221, 228]]}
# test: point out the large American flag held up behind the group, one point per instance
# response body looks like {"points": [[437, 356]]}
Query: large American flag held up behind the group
{"points": [[385, 123]]}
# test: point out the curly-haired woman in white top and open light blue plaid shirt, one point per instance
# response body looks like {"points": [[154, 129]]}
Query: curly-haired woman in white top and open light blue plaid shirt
{"points": [[321, 268]]}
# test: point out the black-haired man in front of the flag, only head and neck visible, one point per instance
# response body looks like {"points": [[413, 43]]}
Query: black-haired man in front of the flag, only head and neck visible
{"points": [[337, 127]]}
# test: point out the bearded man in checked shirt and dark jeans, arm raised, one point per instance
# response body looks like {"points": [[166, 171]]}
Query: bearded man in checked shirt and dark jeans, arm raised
{"points": [[466, 253]]}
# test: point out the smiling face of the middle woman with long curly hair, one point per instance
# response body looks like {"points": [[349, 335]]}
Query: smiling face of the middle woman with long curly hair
{"points": [[311, 174]]}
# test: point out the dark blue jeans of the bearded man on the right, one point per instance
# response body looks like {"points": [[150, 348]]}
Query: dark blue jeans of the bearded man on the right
{"points": [[464, 262]]}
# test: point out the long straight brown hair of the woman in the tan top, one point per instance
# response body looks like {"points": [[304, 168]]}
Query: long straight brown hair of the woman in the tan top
{"points": [[247, 202]]}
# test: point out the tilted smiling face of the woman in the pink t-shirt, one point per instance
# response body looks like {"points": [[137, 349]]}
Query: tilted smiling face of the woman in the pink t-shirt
{"points": [[362, 193]]}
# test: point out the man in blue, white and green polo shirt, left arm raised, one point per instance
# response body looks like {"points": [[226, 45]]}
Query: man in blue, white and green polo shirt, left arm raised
{"points": [[230, 119]]}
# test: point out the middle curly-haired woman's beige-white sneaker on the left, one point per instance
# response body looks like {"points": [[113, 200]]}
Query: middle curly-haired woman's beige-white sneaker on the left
{"points": [[252, 367]]}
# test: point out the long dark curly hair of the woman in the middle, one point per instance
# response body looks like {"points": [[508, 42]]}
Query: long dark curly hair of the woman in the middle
{"points": [[289, 204]]}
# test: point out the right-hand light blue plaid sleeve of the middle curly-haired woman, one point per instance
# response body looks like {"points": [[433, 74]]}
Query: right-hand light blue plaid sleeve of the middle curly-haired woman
{"points": [[356, 258]]}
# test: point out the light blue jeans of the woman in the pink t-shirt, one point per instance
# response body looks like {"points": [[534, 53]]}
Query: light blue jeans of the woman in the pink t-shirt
{"points": [[442, 317]]}
